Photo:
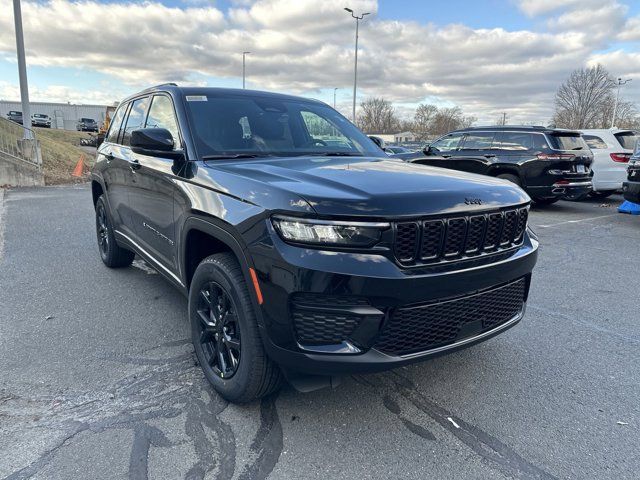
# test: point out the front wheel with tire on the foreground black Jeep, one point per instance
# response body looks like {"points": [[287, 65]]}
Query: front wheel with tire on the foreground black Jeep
{"points": [[225, 332]]}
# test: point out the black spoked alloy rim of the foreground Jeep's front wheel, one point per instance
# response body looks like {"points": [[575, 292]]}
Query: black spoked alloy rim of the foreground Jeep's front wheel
{"points": [[219, 330]]}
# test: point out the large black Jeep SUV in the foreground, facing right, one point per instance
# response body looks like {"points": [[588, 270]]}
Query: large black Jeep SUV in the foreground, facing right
{"points": [[305, 252]]}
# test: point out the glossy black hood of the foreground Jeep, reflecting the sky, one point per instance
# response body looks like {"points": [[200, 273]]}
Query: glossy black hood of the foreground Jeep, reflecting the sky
{"points": [[375, 187]]}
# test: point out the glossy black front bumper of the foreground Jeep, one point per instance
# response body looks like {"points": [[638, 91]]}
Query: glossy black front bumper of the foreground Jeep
{"points": [[382, 289]]}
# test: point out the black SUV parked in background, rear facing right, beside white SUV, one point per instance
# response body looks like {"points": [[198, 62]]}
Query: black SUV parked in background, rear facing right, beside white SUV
{"points": [[547, 163]]}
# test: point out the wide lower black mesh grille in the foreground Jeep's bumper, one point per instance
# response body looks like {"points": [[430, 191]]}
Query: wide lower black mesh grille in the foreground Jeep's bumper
{"points": [[417, 329]]}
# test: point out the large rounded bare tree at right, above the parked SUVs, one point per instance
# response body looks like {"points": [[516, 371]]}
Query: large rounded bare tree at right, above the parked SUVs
{"points": [[582, 99]]}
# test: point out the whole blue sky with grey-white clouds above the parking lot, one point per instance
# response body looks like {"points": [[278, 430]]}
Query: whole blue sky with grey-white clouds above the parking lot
{"points": [[486, 56]]}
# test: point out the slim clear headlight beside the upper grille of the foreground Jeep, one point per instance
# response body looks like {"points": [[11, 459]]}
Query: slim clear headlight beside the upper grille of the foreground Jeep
{"points": [[326, 232]]}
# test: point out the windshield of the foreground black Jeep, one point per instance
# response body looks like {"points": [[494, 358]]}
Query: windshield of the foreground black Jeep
{"points": [[227, 125]]}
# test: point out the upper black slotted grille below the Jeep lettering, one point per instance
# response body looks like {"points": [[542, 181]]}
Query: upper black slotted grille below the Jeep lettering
{"points": [[445, 240]]}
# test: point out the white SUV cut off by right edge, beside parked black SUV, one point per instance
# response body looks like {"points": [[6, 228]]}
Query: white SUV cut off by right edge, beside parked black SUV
{"points": [[612, 149]]}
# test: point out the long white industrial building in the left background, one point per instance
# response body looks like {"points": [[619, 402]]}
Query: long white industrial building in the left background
{"points": [[63, 115]]}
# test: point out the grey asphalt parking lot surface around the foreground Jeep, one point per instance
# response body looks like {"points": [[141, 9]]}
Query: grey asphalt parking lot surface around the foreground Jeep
{"points": [[98, 379]]}
